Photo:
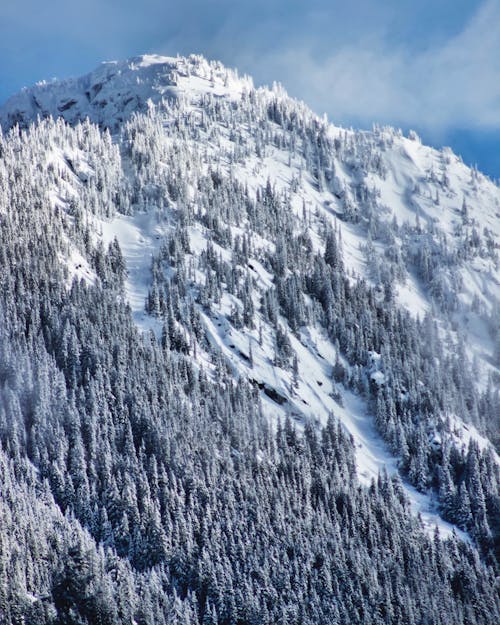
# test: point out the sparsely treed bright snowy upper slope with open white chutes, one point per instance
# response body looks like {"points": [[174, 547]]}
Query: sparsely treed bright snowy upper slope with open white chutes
{"points": [[407, 218]]}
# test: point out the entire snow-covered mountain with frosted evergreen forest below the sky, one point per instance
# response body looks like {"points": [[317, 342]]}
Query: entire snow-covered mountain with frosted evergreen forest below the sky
{"points": [[242, 347]]}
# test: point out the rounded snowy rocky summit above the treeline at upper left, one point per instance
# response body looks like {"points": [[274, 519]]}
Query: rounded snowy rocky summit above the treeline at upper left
{"points": [[113, 91]]}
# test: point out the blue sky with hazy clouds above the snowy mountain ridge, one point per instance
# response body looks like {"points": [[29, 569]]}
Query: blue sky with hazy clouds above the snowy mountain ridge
{"points": [[432, 65]]}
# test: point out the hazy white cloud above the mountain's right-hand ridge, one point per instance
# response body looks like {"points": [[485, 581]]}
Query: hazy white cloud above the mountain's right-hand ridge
{"points": [[454, 83]]}
